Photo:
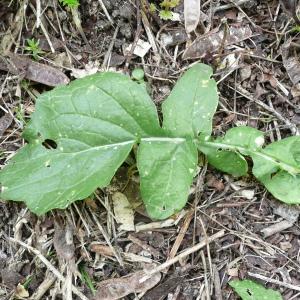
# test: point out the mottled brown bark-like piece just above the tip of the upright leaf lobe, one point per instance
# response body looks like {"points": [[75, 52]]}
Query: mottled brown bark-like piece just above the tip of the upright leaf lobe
{"points": [[211, 42]]}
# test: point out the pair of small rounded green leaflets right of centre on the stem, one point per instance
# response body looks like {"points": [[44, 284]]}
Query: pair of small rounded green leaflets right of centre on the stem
{"points": [[224, 153]]}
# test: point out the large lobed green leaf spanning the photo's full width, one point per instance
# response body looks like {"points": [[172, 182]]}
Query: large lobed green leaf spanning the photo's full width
{"points": [[80, 134]]}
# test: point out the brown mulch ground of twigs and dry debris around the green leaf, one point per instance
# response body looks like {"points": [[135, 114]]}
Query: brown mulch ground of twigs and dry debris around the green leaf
{"points": [[258, 85]]}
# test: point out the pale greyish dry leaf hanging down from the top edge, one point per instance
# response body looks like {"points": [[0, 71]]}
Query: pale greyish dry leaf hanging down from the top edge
{"points": [[191, 14]]}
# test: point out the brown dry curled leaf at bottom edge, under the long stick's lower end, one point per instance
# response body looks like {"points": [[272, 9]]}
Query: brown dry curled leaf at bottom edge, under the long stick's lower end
{"points": [[117, 288]]}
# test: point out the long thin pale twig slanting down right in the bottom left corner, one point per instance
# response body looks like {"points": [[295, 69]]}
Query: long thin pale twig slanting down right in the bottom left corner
{"points": [[49, 266]]}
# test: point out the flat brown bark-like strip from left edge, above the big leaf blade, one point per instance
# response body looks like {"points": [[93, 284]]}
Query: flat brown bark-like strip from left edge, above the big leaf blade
{"points": [[32, 70]]}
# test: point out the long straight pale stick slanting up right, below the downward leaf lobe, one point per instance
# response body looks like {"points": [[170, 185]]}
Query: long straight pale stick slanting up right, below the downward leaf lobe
{"points": [[183, 254]]}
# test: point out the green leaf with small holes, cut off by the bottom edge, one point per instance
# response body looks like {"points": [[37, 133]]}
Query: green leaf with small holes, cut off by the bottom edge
{"points": [[250, 290]]}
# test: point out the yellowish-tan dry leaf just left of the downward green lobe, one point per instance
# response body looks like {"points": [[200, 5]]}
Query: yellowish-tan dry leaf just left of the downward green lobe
{"points": [[123, 212]]}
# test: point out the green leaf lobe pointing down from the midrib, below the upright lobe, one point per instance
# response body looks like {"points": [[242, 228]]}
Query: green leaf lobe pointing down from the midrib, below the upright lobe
{"points": [[167, 167]]}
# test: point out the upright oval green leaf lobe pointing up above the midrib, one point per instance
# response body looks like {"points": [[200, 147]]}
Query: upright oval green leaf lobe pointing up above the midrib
{"points": [[190, 107]]}
